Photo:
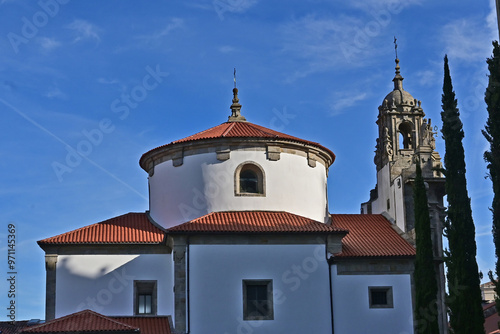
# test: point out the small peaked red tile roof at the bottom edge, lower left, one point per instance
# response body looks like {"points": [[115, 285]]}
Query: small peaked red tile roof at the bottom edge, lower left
{"points": [[83, 321]]}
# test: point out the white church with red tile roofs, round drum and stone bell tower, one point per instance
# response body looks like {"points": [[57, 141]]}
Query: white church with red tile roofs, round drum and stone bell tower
{"points": [[238, 237]]}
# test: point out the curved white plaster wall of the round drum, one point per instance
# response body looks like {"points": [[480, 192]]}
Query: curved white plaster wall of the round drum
{"points": [[202, 184]]}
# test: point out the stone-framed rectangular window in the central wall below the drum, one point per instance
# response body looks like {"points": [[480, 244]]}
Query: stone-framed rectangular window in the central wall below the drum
{"points": [[258, 300]]}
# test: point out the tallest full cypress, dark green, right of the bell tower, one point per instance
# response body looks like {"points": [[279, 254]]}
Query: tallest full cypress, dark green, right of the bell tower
{"points": [[464, 299]]}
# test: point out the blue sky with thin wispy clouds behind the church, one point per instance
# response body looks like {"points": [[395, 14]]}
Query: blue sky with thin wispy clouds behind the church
{"points": [[313, 69]]}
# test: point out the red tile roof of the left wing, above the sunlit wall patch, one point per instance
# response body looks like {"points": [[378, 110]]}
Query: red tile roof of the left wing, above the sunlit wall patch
{"points": [[130, 228]]}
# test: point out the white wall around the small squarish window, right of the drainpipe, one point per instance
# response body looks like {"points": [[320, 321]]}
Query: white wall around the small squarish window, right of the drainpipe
{"points": [[351, 304]]}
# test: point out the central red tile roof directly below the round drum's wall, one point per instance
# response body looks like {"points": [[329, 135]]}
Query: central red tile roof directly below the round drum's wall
{"points": [[253, 222]]}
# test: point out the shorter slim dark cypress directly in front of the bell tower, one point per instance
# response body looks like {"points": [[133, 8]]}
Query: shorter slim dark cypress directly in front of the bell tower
{"points": [[426, 287]]}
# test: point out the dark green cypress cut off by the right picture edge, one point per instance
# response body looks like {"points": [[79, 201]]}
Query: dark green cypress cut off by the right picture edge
{"points": [[492, 157]]}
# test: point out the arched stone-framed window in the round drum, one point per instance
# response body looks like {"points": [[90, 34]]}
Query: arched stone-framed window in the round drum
{"points": [[249, 180]]}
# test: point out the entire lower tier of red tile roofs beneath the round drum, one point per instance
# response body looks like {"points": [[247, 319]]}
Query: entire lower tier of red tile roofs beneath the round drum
{"points": [[363, 235]]}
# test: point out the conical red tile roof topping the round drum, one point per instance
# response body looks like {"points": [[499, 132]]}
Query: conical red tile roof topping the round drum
{"points": [[239, 130]]}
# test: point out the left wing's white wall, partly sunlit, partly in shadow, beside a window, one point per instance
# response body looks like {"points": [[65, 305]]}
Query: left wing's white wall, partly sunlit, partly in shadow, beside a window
{"points": [[105, 283]]}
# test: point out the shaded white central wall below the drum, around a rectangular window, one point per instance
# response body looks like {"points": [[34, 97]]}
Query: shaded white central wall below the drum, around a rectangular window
{"points": [[300, 286]]}
